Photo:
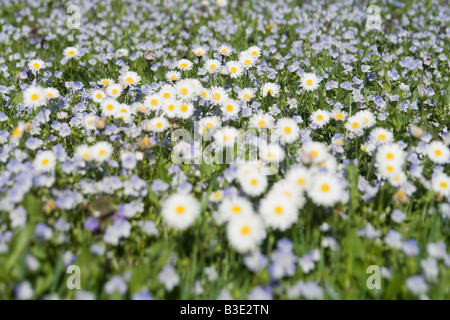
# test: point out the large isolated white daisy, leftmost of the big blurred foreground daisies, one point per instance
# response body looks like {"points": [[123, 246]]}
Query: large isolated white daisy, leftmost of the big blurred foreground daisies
{"points": [[180, 210]]}
